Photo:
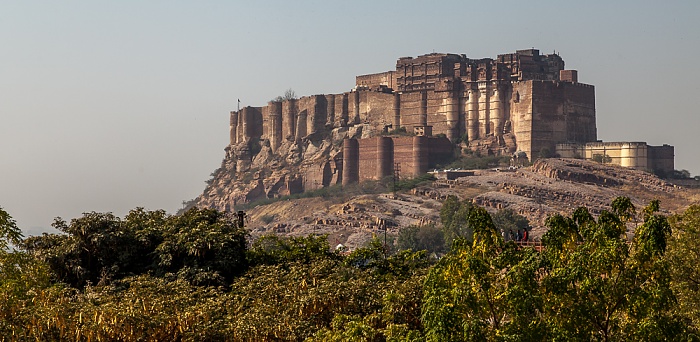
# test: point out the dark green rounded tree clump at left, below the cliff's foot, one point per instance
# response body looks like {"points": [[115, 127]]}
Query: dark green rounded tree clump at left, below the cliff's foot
{"points": [[201, 245]]}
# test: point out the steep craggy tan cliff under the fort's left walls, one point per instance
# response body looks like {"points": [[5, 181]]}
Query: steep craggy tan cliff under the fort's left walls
{"points": [[251, 171]]}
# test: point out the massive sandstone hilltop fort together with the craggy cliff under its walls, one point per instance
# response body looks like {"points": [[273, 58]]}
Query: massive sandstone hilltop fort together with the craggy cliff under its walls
{"points": [[428, 110]]}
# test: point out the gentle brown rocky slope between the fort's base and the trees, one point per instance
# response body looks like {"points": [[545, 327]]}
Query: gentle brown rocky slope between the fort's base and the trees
{"points": [[549, 186]]}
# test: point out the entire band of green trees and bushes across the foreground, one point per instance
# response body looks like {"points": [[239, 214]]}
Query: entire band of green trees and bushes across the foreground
{"points": [[157, 277]]}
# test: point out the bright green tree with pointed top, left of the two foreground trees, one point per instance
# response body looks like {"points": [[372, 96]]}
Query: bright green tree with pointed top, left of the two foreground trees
{"points": [[483, 289]]}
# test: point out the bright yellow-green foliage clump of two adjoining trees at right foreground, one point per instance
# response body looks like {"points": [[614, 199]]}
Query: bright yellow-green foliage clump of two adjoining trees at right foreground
{"points": [[589, 283]]}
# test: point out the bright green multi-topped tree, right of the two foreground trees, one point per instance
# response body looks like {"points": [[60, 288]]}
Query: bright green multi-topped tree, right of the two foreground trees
{"points": [[597, 286]]}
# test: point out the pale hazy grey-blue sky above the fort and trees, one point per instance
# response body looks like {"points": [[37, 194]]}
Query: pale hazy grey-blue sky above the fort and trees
{"points": [[112, 105]]}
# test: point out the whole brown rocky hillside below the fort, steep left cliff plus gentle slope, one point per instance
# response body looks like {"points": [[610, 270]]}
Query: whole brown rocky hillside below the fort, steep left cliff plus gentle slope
{"points": [[251, 171]]}
